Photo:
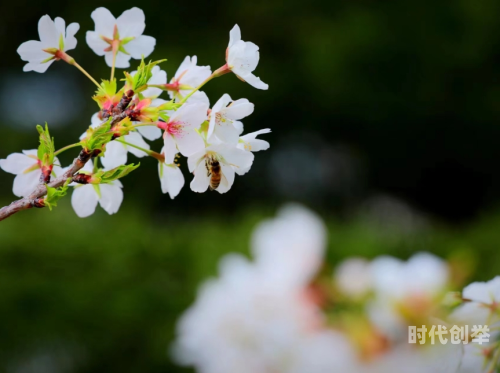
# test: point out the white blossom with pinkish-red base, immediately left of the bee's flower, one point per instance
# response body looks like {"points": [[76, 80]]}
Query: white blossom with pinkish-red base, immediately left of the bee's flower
{"points": [[180, 131]]}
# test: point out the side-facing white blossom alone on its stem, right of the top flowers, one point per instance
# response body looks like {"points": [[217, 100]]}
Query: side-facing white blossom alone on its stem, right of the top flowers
{"points": [[242, 58]]}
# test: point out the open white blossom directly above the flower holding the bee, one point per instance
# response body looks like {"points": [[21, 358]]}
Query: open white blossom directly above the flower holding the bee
{"points": [[225, 116]]}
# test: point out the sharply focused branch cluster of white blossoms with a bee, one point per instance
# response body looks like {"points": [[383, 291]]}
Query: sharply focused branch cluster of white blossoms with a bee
{"points": [[211, 139]]}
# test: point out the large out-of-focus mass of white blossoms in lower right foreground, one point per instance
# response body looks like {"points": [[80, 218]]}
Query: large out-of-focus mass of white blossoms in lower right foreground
{"points": [[280, 313]]}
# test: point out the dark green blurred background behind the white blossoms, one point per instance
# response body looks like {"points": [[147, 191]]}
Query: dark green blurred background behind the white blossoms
{"points": [[385, 121]]}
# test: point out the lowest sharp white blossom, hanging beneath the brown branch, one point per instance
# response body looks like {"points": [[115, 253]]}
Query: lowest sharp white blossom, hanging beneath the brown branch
{"points": [[85, 197]]}
